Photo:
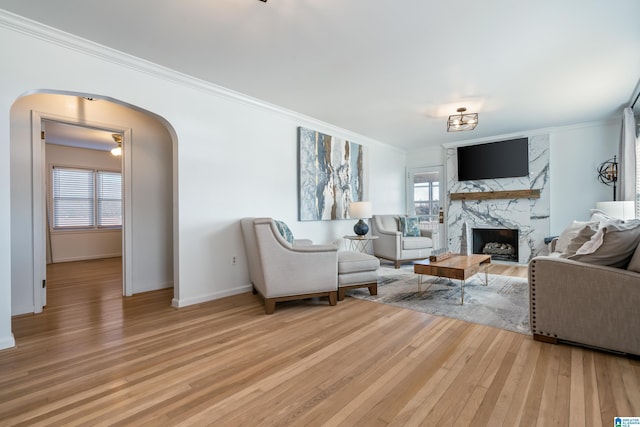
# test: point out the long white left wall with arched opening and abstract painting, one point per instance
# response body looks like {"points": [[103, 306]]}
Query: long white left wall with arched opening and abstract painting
{"points": [[233, 157]]}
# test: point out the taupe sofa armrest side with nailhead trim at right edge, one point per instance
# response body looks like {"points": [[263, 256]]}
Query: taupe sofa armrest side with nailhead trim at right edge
{"points": [[585, 303]]}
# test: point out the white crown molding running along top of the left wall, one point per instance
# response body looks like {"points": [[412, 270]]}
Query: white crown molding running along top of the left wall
{"points": [[70, 41]]}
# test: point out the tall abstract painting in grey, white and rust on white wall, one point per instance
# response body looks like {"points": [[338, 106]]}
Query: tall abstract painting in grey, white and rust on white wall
{"points": [[330, 175]]}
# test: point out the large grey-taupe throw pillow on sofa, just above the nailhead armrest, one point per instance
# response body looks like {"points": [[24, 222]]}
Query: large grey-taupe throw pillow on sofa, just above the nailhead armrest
{"points": [[613, 244]]}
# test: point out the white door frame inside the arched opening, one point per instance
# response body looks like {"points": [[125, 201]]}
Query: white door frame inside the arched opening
{"points": [[39, 193]]}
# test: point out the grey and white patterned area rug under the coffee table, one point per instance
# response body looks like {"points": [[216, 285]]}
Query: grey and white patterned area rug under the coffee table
{"points": [[503, 304]]}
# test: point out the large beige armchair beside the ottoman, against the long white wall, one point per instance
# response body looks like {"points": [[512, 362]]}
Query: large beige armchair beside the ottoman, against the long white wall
{"points": [[283, 270]]}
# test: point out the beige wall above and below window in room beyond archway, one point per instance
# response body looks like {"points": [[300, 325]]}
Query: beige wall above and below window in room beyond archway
{"points": [[74, 245]]}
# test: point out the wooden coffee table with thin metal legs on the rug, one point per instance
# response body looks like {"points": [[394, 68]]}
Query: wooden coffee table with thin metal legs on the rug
{"points": [[459, 267]]}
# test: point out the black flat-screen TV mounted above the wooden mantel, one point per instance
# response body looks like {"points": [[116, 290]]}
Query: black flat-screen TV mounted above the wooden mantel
{"points": [[502, 159]]}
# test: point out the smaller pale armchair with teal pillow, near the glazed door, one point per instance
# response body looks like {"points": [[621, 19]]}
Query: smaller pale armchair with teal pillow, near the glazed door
{"points": [[398, 245]]}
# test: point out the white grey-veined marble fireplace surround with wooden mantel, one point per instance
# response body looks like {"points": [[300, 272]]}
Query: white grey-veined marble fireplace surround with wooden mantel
{"points": [[516, 203]]}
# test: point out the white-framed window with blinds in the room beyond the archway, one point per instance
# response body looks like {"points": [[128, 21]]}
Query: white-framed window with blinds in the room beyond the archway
{"points": [[86, 198]]}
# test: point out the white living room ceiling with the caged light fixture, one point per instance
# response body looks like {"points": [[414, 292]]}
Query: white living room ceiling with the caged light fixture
{"points": [[389, 70]]}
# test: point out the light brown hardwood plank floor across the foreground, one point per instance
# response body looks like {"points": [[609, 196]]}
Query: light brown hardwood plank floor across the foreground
{"points": [[96, 358]]}
